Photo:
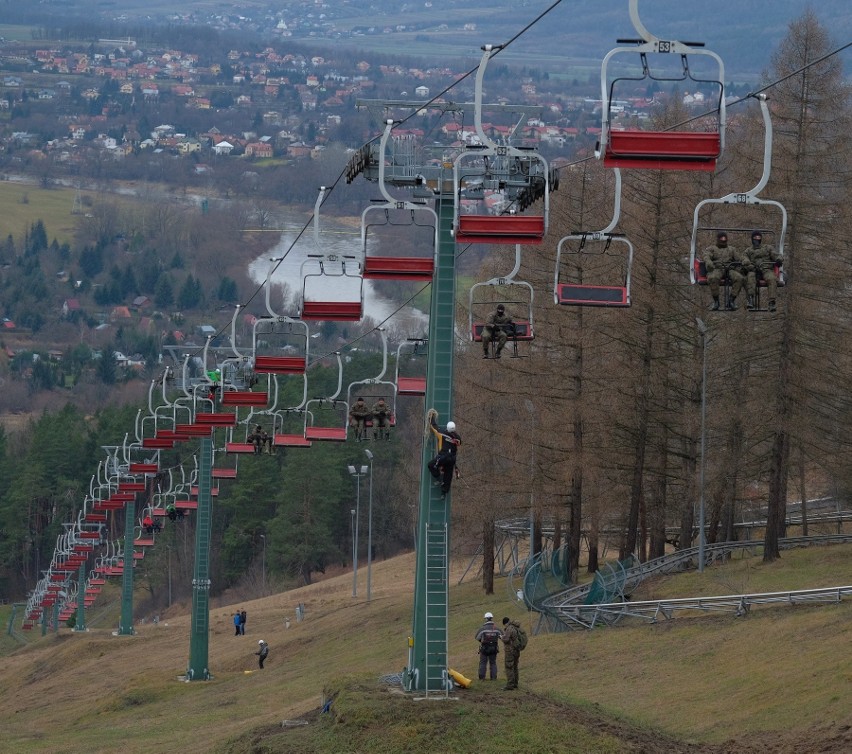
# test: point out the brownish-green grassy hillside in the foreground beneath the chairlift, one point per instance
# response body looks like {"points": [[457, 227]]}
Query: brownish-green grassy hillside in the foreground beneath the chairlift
{"points": [[702, 681]]}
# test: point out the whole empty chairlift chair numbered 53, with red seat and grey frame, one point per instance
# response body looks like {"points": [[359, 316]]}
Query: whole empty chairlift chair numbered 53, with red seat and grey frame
{"points": [[660, 150]]}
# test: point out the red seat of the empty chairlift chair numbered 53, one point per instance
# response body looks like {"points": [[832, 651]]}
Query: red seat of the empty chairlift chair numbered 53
{"points": [[663, 150]]}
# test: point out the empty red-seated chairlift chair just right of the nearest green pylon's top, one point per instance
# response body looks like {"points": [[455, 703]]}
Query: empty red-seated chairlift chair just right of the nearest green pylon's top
{"points": [[499, 173]]}
